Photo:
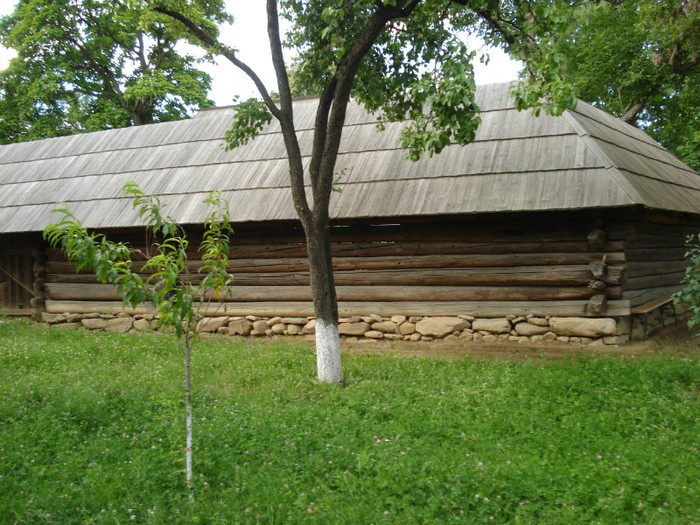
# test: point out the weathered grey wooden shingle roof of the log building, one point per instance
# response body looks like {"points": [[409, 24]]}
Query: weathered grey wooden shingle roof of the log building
{"points": [[583, 159]]}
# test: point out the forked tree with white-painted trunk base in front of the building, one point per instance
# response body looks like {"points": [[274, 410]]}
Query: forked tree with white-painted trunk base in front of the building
{"points": [[400, 58]]}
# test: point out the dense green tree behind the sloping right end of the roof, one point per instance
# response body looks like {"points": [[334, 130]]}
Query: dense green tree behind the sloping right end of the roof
{"points": [[639, 60]]}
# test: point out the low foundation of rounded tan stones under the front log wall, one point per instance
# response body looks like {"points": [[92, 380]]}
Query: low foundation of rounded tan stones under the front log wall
{"points": [[513, 329]]}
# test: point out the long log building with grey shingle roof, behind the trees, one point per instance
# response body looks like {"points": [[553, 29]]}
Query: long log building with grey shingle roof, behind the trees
{"points": [[576, 216]]}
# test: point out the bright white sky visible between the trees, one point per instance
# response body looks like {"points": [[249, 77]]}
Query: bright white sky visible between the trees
{"points": [[248, 35]]}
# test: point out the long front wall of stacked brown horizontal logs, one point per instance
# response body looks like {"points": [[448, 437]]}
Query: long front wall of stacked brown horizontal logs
{"points": [[492, 266]]}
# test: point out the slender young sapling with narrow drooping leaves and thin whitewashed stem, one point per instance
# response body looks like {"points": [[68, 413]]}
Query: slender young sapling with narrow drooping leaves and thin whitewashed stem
{"points": [[168, 285]]}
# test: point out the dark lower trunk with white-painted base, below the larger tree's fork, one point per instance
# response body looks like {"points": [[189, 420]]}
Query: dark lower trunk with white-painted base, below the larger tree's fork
{"points": [[318, 245]]}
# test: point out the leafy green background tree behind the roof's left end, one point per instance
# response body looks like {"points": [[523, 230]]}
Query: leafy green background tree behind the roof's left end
{"points": [[86, 65]]}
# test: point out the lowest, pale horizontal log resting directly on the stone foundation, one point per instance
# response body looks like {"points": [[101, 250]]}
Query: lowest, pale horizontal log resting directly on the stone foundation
{"points": [[346, 309]]}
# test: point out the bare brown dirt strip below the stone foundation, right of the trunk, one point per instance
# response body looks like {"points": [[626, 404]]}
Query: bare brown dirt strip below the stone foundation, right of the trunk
{"points": [[671, 340]]}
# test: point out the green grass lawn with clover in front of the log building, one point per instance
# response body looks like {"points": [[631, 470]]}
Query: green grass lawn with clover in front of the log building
{"points": [[92, 431]]}
